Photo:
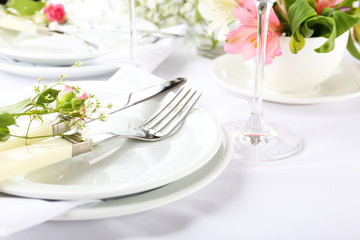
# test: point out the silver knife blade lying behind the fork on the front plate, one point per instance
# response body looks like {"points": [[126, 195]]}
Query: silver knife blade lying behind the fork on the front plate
{"points": [[131, 99]]}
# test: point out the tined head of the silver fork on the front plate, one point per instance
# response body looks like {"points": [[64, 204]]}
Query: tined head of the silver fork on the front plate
{"points": [[172, 120]]}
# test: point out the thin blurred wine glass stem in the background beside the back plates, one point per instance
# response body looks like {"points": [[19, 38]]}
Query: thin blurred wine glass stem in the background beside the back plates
{"points": [[133, 33]]}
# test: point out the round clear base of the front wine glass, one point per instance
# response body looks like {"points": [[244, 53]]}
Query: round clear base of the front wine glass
{"points": [[279, 143]]}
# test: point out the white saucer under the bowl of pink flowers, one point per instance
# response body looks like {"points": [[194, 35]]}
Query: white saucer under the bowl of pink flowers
{"points": [[231, 72]]}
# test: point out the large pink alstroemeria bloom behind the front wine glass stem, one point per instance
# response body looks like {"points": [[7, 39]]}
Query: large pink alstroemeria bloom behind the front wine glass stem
{"points": [[243, 40]]}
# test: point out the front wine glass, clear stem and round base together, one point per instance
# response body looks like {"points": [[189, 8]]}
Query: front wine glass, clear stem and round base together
{"points": [[256, 139]]}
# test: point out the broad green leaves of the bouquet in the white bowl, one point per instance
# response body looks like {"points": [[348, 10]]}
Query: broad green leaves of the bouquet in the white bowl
{"points": [[303, 21]]}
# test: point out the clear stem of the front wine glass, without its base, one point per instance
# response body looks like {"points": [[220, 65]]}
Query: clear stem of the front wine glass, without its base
{"points": [[256, 123]]}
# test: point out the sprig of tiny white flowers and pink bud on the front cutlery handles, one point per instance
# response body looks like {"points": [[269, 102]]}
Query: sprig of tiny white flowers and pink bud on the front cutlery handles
{"points": [[60, 97]]}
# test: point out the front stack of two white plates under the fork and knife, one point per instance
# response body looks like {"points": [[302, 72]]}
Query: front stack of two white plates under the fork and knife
{"points": [[134, 176]]}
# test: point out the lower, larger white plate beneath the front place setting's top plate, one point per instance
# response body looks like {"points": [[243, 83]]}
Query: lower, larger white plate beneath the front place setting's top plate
{"points": [[158, 197]]}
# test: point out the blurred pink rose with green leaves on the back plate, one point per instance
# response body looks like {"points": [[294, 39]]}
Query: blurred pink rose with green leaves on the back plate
{"points": [[39, 11]]}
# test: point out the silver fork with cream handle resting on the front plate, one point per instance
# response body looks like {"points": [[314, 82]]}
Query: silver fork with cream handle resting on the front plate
{"points": [[160, 125]]}
